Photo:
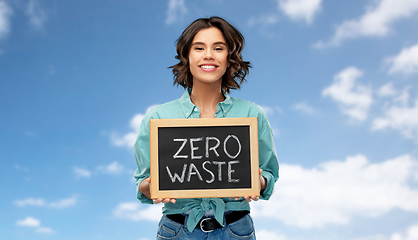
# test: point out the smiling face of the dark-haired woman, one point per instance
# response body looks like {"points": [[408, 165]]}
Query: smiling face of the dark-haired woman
{"points": [[208, 56]]}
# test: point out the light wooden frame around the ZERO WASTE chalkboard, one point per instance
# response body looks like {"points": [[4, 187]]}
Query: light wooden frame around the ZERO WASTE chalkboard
{"points": [[251, 122]]}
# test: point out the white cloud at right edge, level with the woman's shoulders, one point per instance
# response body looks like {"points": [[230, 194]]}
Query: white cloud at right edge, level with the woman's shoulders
{"points": [[400, 116]]}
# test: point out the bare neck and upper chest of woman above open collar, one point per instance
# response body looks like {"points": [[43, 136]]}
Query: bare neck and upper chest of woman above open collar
{"points": [[206, 97]]}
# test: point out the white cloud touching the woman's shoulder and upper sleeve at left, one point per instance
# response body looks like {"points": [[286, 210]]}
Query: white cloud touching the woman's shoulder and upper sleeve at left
{"points": [[128, 139]]}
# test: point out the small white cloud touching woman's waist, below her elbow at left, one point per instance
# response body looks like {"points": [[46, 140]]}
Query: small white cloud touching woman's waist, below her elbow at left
{"points": [[135, 211]]}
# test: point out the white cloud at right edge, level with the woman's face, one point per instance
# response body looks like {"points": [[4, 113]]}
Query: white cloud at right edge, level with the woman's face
{"points": [[405, 62]]}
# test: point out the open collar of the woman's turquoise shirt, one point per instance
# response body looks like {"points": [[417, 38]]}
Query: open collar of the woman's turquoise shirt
{"points": [[188, 107]]}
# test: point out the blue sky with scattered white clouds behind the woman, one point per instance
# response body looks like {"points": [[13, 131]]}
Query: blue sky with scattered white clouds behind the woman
{"points": [[337, 80]]}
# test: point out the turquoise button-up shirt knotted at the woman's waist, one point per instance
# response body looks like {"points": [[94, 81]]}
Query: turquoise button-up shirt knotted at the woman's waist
{"points": [[229, 108]]}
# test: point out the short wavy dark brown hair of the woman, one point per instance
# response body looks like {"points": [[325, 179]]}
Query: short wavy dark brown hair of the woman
{"points": [[238, 68]]}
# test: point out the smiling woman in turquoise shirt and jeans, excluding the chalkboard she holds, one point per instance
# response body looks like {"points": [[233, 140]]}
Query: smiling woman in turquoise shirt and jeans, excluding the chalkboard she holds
{"points": [[210, 64]]}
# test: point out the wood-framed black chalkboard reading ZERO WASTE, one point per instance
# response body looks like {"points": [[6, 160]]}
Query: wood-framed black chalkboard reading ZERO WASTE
{"points": [[204, 157]]}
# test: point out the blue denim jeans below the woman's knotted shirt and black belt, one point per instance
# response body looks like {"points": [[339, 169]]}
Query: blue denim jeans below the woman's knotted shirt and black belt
{"points": [[240, 229]]}
